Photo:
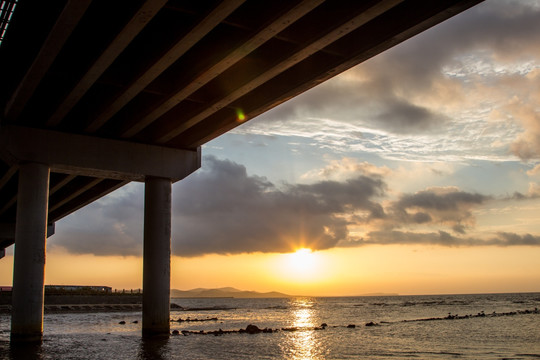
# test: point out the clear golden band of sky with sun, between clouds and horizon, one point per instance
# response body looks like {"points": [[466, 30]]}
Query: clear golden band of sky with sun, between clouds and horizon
{"points": [[337, 272]]}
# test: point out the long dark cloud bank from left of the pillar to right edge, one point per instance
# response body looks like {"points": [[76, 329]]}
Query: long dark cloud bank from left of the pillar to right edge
{"points": [[221, 209]]}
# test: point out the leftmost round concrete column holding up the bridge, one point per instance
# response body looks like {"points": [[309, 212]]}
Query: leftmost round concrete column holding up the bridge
{"points": [[29, 261]]}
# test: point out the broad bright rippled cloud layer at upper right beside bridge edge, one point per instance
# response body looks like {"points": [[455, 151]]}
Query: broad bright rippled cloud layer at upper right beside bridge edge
{"points": [[442, 95]]}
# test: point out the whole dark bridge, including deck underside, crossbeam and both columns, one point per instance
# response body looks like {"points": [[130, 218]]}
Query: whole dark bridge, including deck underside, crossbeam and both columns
{"points": [[98, 93]]}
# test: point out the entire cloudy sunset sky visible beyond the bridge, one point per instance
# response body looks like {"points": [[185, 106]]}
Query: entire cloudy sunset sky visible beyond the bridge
{"points": [[415, 172]]}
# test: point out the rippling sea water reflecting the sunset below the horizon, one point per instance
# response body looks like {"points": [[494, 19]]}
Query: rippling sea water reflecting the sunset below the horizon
{"points": [[491, 326]]}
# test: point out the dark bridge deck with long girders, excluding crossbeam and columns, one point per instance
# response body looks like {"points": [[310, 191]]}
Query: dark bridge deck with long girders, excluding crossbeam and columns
{"points": [[177, 73]]}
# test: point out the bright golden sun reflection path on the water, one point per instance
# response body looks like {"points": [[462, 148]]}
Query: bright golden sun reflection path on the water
{"points": [[304, 344]]}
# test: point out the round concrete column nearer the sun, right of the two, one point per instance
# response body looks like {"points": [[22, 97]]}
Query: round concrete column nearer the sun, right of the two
{"points": [[157, 257]]}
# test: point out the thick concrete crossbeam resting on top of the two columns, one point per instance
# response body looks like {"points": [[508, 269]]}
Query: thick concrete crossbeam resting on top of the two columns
{"points": [[96, 157]]}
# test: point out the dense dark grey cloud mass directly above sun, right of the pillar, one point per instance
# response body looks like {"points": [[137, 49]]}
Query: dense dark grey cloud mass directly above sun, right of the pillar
{"points": [[224, 210]]}
